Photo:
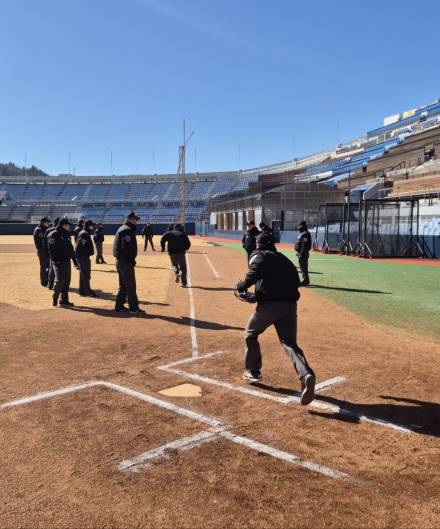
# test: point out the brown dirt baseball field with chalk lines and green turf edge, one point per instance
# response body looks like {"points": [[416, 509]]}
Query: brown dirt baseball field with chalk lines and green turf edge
{"points": [[111, 420]]}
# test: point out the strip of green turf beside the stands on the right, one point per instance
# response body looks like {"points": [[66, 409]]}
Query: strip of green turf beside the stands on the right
{"points": [[398, 294]]}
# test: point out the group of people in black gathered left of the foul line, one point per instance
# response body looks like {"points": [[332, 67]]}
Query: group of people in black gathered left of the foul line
{"points": [[56, 253]]}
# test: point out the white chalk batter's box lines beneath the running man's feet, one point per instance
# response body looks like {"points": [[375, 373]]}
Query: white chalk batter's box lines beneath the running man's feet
{"points": [[316, 404]]}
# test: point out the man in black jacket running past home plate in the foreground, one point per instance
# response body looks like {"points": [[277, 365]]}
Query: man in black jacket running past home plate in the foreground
{"points": [[276, 283]]}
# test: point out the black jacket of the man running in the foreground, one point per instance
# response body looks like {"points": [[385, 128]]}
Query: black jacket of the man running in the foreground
{"points": [[275, 277]]}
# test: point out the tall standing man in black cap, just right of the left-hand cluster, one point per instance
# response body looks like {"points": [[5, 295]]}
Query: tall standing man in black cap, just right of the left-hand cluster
{"points": [[125, 251]]}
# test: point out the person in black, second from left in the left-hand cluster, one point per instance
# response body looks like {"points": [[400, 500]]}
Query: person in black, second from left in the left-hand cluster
{"points": [[61, 253]]}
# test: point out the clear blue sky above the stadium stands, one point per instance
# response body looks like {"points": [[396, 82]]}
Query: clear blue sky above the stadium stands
{"points": [[280, 78]]}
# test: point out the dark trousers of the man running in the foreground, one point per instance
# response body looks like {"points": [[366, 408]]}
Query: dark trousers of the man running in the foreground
{"points": [[283, 316]]}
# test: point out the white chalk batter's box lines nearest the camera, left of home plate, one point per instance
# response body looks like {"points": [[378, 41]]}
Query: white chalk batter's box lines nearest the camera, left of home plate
{"points": [[217, 429]]}
